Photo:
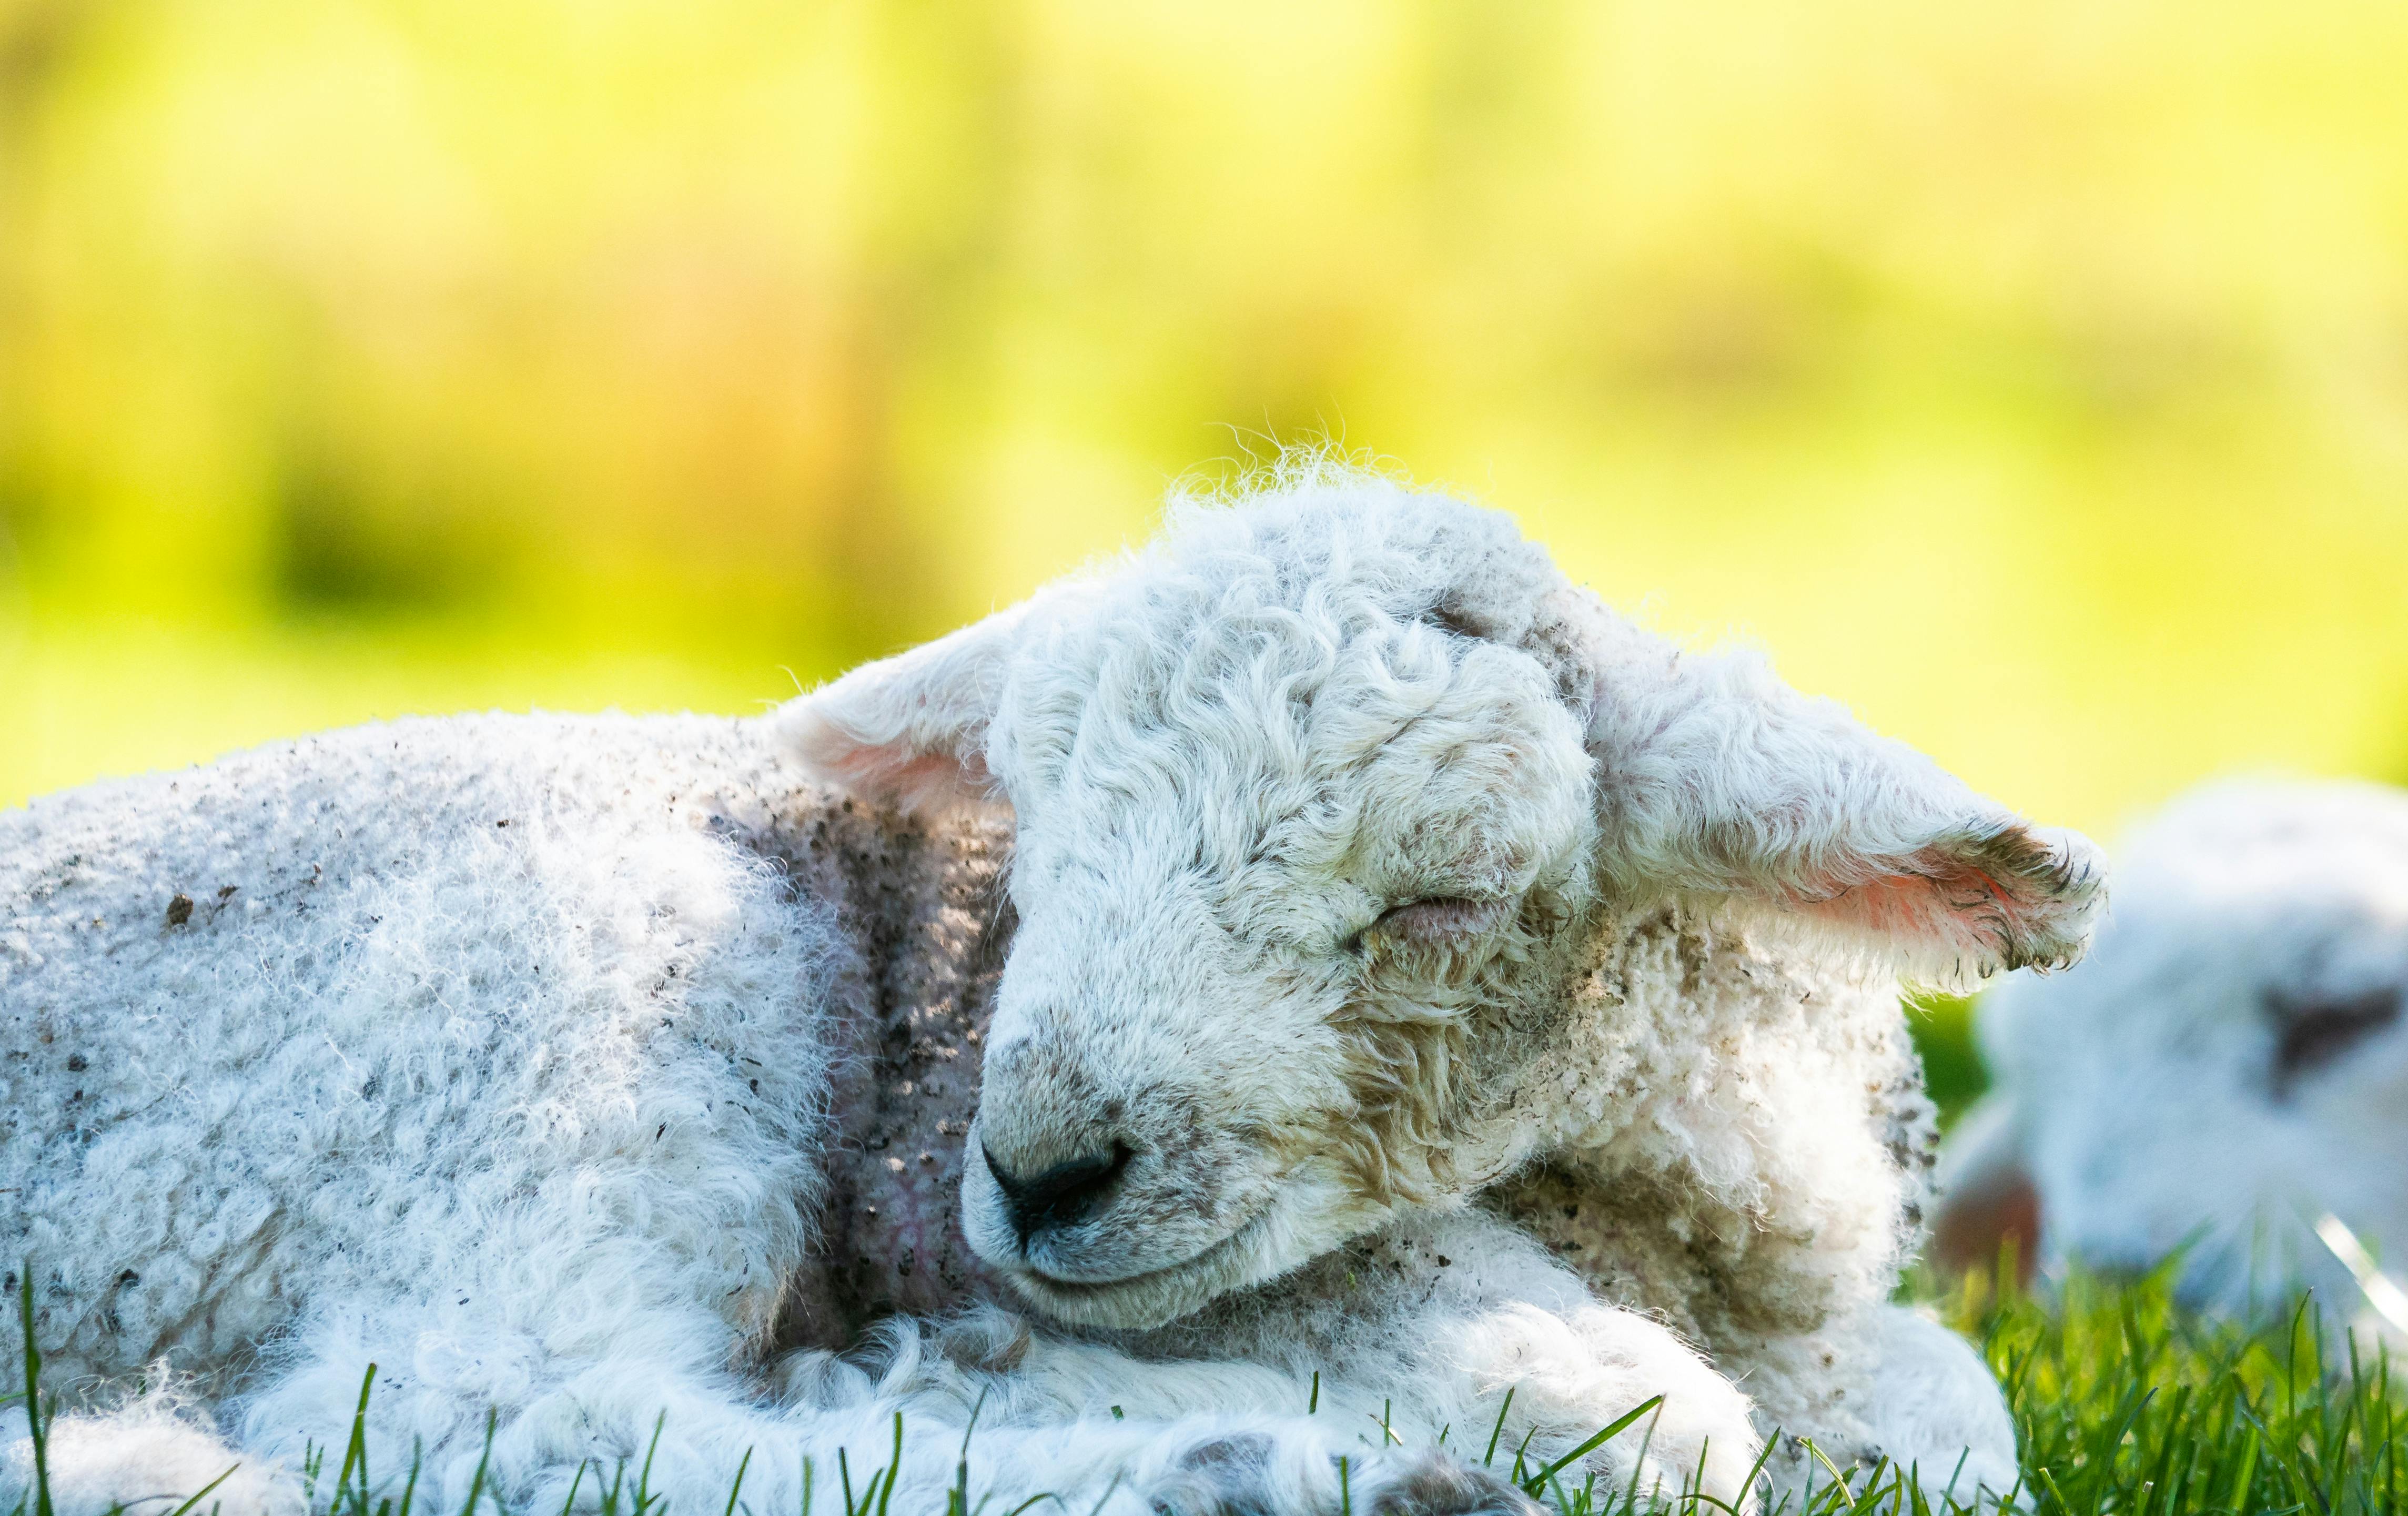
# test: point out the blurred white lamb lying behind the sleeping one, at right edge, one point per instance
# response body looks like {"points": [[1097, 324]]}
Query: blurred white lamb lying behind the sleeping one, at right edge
{"points": [[2226, 1072]]}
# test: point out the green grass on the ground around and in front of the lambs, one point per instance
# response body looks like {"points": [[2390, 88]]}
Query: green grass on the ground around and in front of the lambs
{"points": [[2125, 1407]]}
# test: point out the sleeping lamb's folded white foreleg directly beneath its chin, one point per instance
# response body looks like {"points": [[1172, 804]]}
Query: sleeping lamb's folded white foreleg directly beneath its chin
{"points": [[1420, 1334]]}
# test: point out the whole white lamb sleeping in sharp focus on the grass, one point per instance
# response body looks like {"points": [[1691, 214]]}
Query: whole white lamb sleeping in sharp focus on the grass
{"points": [[1405, 973]]}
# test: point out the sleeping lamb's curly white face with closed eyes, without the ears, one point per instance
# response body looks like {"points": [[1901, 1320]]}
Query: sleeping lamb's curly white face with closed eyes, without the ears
{"points": [[1268, 863]]}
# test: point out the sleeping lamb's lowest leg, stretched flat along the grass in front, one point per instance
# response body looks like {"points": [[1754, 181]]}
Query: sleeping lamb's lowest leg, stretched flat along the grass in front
{"points": [[654, 1409]]}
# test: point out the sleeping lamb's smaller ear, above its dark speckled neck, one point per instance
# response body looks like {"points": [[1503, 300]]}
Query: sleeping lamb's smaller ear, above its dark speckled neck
{"points": [[909, 730]]}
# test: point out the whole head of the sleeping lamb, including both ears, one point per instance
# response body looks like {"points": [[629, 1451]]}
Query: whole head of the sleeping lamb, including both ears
{"points": [[1323, 805]]}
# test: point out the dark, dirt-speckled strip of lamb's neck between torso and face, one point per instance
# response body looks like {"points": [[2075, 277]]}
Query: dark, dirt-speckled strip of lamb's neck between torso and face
{"points": [[931, 925]]}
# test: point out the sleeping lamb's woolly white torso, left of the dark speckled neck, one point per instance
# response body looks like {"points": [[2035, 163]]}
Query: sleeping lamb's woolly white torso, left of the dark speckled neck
{"points": [[319, 1019]]}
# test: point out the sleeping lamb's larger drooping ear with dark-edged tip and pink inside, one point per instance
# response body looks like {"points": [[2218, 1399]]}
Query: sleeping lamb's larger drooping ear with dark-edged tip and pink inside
{"points": [[1718, 778]]}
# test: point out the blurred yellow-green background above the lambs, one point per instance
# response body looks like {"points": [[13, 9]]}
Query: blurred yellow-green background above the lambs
{"points": [[2031, 377]]}
